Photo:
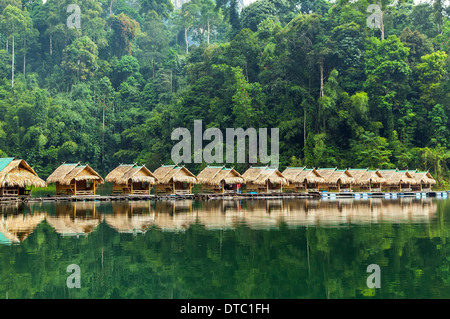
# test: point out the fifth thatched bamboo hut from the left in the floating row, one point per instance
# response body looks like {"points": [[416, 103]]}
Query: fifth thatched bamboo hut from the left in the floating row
{"points": [[219, 179]]}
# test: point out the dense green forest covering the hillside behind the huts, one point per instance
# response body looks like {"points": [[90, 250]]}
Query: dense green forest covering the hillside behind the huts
{"points": [[112, 89]]}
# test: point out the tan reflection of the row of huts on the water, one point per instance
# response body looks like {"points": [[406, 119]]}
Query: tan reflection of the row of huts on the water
{"points": [[81, 218]]}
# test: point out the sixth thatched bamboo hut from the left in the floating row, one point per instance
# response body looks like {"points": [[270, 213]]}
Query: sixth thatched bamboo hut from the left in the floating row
{"points": [[264, 180]]}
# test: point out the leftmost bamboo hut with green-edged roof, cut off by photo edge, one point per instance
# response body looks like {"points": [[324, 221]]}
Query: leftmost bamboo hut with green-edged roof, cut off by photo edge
{"points": [[17, 177]]}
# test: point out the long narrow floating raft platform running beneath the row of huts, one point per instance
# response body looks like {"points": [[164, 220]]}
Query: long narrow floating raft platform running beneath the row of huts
{"points": [[310, 195]]}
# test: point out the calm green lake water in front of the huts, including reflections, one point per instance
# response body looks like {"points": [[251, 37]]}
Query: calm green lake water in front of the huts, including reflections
{"points": [[227, 249]]}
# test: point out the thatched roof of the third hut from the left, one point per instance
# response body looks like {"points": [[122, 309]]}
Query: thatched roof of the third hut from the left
{"points": [[122, 174]]}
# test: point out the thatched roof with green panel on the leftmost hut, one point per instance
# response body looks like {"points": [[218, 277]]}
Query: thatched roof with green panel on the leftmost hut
{"points": [[17, 172]]}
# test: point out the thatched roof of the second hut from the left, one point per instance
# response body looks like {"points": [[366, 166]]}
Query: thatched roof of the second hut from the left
{"points": [[66, 173]]}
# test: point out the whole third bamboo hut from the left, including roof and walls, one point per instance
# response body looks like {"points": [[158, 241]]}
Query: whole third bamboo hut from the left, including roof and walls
{"points": [[131, 179]]}
